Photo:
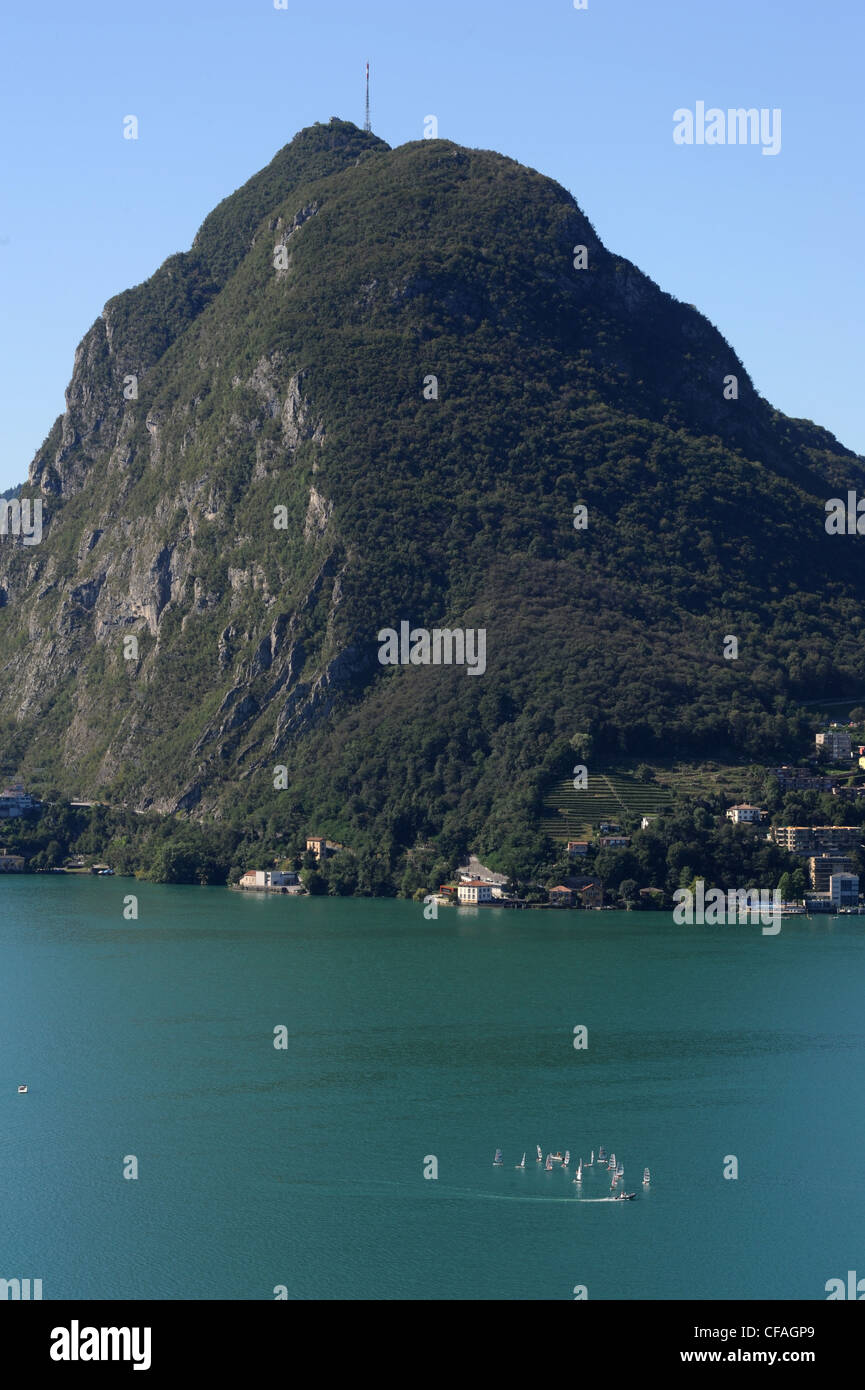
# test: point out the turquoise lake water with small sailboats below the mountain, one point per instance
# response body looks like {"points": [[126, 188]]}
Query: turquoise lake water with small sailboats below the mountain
{"points": [[410, 1039]]}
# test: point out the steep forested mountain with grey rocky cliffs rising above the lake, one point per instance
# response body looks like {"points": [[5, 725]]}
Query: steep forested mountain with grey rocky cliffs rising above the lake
{"points": [[280, 490]]}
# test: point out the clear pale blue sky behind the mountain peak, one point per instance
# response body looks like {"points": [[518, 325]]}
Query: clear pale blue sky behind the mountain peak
{"points": [[768, 248]]}
